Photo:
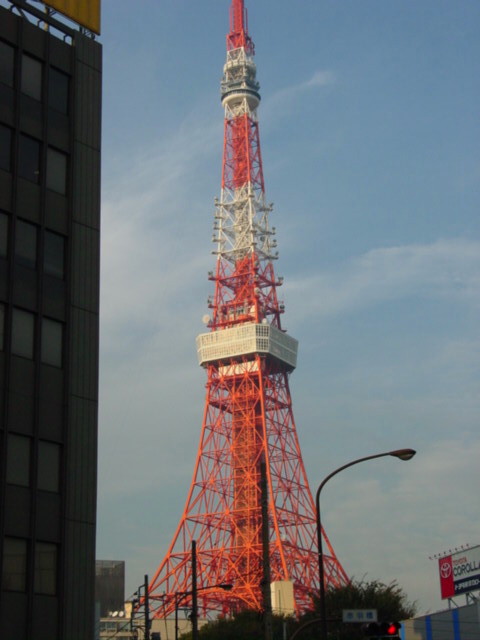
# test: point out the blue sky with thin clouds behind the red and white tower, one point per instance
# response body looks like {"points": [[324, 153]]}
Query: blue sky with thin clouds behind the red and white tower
{"points": [[370, 140]]}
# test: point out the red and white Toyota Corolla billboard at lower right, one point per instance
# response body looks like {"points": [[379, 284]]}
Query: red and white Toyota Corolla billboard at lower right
{"points": [[459, 572]]}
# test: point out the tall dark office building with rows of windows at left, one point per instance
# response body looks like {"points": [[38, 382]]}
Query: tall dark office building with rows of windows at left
{"points": [[50, 95]]}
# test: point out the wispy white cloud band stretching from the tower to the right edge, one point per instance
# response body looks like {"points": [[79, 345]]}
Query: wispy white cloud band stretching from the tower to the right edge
{"points": [[447, 268]]}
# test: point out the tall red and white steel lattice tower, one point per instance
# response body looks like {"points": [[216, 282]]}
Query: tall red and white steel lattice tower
{"points": [[248, 415]]}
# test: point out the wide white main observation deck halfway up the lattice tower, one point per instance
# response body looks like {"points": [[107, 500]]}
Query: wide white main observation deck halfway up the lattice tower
{"points": [[247, 339]]}
